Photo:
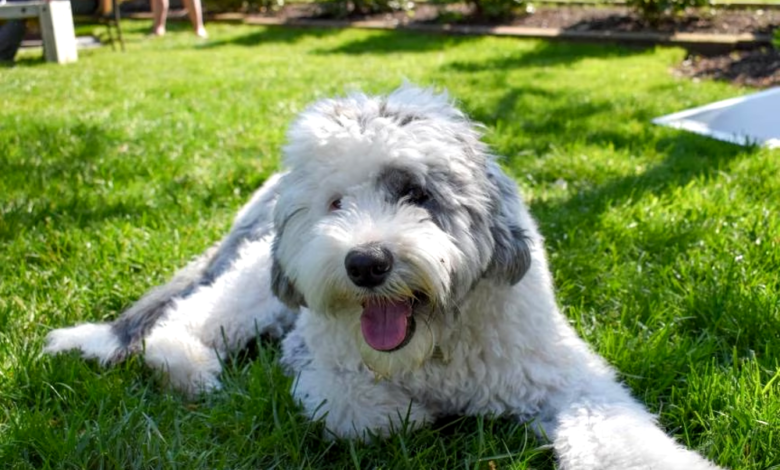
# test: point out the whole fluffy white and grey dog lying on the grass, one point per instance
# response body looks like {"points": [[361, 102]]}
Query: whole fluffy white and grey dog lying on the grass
{"points": [[407, 280]]}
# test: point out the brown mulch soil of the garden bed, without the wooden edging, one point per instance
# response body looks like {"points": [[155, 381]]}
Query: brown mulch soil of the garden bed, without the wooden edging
{"points": [[757, 64]]}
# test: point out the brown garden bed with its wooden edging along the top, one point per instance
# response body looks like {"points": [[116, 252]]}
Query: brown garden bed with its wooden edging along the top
{"points": [[731, 44]]}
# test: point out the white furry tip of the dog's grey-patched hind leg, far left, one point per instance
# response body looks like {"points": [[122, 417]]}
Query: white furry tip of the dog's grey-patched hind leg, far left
{"points": [[94, 340]]}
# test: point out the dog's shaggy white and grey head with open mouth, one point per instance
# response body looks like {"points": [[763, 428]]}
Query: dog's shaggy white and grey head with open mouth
{"points": [[392, 211]]}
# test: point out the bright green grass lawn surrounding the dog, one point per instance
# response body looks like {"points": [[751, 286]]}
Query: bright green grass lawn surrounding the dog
{"points": [[665, 246]]}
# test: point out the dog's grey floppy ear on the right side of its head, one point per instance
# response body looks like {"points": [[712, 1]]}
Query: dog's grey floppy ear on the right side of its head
{"points": [[511, 253]]}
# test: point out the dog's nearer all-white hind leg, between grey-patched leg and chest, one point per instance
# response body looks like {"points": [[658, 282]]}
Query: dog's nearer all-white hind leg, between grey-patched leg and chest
{"points": [[197, 332]]}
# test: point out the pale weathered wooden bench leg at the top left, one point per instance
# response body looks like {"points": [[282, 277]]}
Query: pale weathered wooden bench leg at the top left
{"points": [[59, 37]]}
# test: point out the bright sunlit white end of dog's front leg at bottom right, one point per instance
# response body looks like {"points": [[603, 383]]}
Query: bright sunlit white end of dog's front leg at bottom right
{"points": [[600, 427]]}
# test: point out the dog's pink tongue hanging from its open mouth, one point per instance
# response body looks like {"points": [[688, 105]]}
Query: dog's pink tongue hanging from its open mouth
{"points": [[384, 323]]}
